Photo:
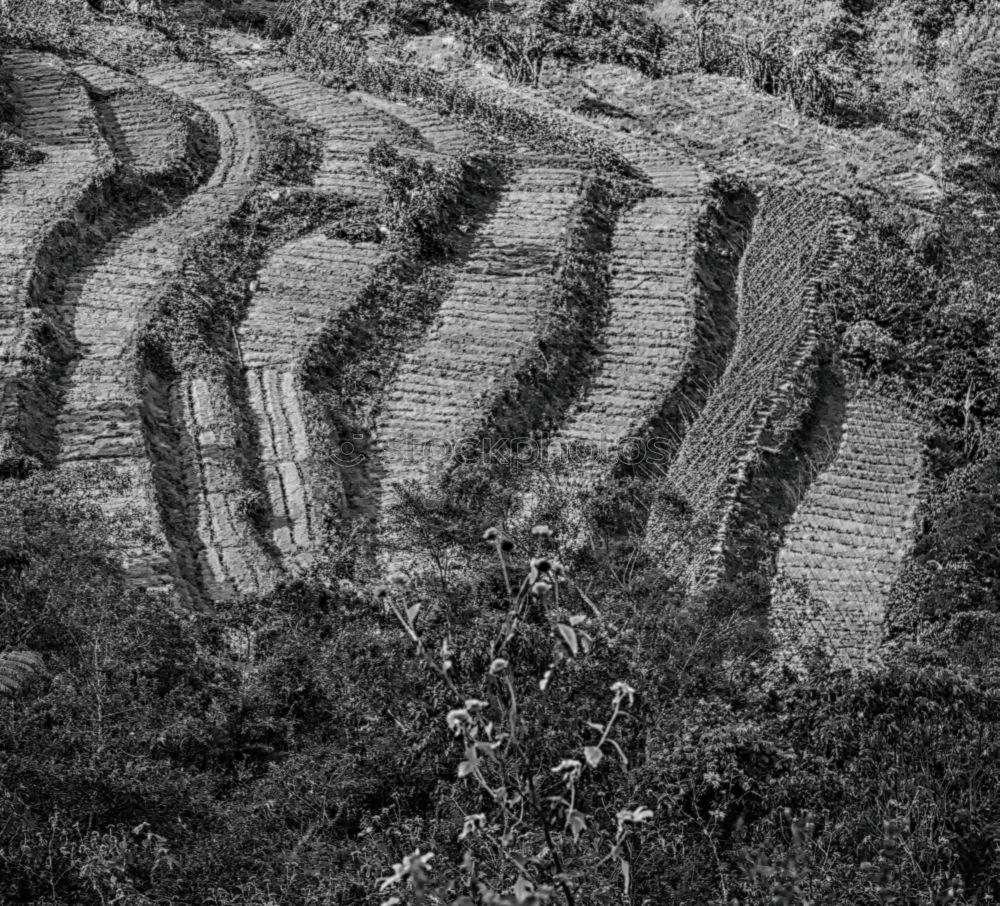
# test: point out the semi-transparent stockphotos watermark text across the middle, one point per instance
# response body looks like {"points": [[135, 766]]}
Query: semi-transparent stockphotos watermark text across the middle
{"points": [[523, 452]]}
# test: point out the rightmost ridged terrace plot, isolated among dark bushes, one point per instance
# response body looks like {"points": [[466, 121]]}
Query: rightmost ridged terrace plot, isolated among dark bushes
{"points": [[845, 544]]}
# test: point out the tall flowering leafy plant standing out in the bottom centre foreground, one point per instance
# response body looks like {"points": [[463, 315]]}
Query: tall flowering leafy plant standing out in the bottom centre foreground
{"points": [[533, 825]]}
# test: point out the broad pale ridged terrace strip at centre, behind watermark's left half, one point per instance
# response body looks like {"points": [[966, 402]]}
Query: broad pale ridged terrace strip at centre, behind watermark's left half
{"points": [[487, 329]]}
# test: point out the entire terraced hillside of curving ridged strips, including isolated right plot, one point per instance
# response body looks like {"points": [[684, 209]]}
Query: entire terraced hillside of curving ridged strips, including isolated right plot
{"points": [[618, 287]]}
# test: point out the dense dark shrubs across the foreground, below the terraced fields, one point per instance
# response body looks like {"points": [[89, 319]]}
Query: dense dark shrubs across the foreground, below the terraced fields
{"points": [[292, 749]]}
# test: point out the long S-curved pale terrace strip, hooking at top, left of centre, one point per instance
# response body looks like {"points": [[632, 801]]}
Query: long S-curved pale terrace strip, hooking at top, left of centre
{"points": [[113, 417]]}
